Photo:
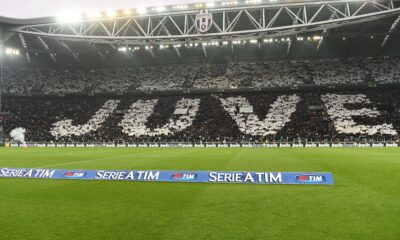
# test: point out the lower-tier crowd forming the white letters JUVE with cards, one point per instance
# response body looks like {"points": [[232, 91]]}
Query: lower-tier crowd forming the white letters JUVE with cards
{"points": [[261, 117]]}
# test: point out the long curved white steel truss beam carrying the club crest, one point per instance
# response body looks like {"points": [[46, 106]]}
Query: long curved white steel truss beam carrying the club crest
{"points": [[182, 25]]}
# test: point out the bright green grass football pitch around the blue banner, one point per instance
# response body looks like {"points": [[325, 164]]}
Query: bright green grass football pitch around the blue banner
{"points": [[363, 204]]}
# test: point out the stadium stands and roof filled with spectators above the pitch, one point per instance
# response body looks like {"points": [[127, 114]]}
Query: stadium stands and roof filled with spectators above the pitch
{"points": [[90, 77]]}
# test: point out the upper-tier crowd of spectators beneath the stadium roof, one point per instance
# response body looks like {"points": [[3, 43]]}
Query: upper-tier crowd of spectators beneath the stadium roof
{"points": [[203, 76]]}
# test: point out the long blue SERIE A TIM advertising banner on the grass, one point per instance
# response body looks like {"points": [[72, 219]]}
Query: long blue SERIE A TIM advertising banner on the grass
{"points": [[172, 176]]}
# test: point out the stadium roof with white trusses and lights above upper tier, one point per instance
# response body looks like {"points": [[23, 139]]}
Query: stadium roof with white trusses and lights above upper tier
{"points": [[252, 29]]}
